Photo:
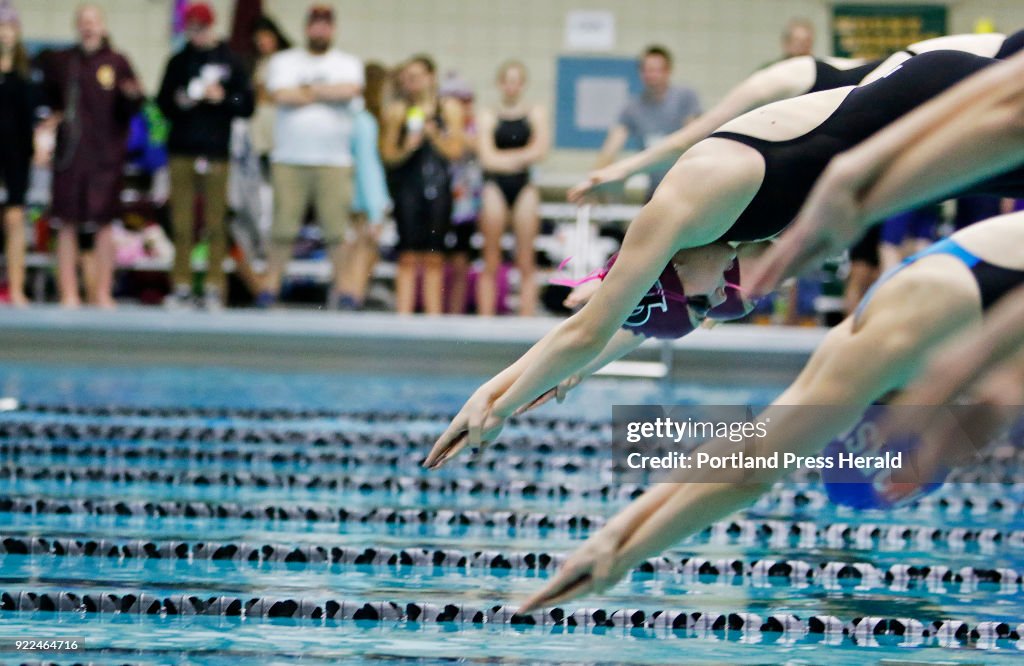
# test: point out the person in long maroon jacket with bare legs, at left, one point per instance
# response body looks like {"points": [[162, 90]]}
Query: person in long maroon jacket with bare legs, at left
{"points": [[94, 94]]}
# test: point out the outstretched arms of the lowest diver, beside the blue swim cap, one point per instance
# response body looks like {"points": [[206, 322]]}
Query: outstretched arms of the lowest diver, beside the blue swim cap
{"points": [[845, 374]]}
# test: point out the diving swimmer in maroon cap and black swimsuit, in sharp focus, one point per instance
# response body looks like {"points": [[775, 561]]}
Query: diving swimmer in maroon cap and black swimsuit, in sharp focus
{"points": [[678, 261]]}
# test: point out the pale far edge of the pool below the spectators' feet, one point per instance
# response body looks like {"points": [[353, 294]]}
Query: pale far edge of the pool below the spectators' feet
{"points": [[311, 341]]}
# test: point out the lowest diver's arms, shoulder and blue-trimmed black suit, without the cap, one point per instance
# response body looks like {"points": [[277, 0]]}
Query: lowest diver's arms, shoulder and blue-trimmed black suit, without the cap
{"points": [[932, 297]]}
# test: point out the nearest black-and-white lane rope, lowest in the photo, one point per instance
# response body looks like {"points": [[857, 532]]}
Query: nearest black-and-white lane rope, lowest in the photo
{"points": [[864, 631]]}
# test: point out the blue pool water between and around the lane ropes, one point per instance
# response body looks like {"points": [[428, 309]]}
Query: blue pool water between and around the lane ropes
{"points": [[203, 640]]}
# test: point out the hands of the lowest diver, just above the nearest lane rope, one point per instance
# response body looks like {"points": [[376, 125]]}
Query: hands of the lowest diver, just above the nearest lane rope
{"points": [[592, 569]]}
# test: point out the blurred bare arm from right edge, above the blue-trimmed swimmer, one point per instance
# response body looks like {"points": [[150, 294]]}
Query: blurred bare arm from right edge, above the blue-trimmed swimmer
{"points": [[973, 132]]}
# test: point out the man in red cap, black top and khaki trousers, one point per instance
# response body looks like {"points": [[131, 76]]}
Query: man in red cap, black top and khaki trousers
{"points": [[205, 89]]}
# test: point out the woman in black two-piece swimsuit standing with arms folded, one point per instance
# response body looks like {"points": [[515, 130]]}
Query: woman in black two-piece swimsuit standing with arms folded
{"points": [[513, 140]]}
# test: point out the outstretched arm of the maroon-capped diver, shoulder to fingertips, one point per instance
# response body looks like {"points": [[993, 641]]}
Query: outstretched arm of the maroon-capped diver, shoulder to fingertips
{"points": [[685, 213]]}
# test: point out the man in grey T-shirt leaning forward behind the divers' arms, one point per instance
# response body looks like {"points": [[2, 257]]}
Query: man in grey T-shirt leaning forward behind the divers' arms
{"points": [[659, 111]]}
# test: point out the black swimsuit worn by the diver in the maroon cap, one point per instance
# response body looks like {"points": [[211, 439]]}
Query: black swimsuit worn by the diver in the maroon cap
{"points": [[793, 166]]}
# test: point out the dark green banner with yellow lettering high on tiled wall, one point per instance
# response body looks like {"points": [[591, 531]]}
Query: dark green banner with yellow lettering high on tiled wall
{"points": [[877, 31]]}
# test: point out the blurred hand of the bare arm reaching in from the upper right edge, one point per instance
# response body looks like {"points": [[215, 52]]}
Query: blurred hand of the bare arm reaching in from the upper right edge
{"points": [[830, 222]]}
